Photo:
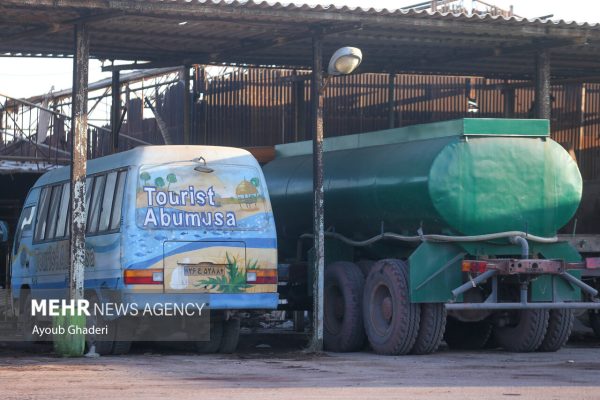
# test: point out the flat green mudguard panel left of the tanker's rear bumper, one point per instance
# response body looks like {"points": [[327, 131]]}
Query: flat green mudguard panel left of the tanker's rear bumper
{"points": [[434, 272]]}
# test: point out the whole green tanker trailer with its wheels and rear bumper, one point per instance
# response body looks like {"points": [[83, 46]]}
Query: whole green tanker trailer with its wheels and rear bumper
{"points": [[438, 230]]}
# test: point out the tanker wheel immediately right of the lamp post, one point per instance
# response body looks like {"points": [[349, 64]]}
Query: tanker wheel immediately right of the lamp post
{"points": [[343, 317]]}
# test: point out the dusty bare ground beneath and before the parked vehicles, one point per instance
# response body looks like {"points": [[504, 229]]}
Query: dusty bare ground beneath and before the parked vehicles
{"points": [[274, 367]]}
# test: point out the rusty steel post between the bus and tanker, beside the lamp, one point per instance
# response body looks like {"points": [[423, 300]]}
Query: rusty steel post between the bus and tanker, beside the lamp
{"points": [[316, 97]]}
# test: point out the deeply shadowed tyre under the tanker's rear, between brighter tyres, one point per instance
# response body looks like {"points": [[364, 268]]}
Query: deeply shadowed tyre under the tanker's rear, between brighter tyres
{"points": [[460, 335]]}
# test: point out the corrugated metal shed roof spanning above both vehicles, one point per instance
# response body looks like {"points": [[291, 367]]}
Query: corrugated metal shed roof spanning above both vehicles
{"points": [[279, 34]]}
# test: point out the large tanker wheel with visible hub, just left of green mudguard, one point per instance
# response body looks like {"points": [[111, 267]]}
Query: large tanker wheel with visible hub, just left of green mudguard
{"points": [[391, 320]]}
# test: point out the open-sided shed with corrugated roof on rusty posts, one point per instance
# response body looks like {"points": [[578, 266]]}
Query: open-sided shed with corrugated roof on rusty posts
{"points": [[157, 33]]}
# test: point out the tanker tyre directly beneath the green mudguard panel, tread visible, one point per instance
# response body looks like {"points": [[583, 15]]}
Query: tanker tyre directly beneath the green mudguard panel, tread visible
{"points": [[431, 328]]}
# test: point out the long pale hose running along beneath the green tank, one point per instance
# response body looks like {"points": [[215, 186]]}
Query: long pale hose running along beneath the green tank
{"points": [[436, 238]]}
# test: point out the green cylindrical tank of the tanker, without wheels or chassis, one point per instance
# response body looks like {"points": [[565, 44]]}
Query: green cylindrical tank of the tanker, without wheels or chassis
{"points": [[460, 177]]}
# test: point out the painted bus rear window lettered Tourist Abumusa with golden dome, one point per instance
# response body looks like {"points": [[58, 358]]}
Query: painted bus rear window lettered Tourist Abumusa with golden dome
{"points": [[183, 197]]}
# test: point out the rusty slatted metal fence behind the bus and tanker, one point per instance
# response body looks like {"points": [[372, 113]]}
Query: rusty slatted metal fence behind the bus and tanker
{"points": [[262, 107]]}
